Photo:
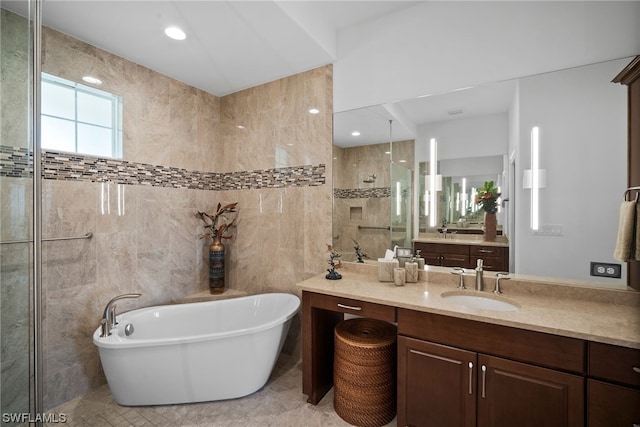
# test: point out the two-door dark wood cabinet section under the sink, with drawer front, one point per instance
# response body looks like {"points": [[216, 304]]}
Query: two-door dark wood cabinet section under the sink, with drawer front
{"points": [[486, 375]]}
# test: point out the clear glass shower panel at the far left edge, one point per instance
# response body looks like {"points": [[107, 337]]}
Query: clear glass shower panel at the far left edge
{"points": [[16, 218]]}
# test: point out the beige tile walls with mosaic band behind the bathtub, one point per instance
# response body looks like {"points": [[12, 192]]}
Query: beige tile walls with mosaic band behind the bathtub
{"points": [[183, 152]]}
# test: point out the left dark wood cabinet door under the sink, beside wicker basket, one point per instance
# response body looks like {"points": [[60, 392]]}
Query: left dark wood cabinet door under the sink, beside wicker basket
{"points": [[436, 385]]}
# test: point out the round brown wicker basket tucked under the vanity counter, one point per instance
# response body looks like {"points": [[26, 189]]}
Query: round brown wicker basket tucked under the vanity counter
{"points": [[364, 372]]}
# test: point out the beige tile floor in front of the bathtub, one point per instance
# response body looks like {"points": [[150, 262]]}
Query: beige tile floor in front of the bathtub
{"points": [[279, 403]]}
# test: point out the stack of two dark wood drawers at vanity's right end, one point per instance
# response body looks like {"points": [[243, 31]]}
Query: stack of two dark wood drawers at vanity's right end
{"points": [[613, 387]]}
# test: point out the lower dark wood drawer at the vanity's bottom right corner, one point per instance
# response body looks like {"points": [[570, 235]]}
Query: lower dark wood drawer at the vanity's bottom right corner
{"points": [[612, 405]]}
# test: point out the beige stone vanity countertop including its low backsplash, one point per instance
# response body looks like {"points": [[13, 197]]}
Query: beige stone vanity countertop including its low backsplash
{"points": [[606, 316]]}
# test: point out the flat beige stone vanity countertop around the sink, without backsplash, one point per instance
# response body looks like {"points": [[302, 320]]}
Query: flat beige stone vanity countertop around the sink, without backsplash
{"points": [[598, 321]]}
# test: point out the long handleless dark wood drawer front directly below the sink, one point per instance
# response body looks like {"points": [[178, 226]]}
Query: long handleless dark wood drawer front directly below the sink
{"points": [[522, 345]]}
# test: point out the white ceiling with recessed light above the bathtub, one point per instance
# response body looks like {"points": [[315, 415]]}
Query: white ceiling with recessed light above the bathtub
{"points": [[230, 45]]}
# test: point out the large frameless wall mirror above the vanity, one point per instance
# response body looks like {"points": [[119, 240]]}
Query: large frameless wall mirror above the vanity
{"points": [[581, 120]]}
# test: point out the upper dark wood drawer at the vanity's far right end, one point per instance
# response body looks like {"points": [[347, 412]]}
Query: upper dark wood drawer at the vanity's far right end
{"points": [[613, 363]]}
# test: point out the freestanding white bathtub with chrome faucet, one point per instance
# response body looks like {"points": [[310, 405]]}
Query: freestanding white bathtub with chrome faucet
{"points": [[196, 352]]}
